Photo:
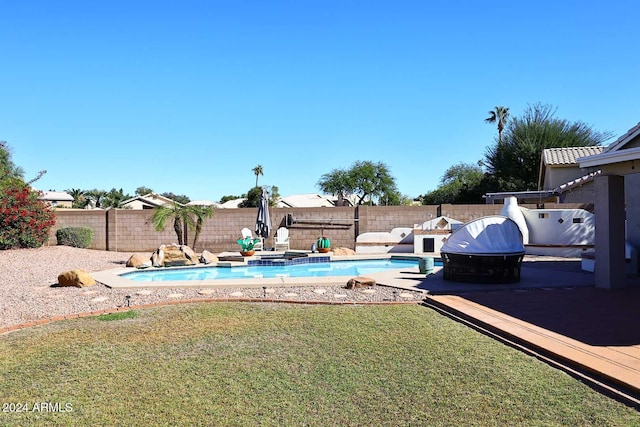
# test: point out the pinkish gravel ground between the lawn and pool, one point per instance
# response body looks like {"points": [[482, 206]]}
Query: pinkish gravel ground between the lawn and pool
{"points": [[28, 291]]}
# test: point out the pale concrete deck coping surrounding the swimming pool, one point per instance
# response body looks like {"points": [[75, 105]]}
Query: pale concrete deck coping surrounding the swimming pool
{"points": [[113, 278]]}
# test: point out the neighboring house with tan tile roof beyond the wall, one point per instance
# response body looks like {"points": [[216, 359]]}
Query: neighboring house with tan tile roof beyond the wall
{"points": [[561, 179]]}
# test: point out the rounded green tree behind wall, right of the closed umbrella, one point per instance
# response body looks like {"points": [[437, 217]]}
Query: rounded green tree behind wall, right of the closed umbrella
{"points": [[365, 179]]}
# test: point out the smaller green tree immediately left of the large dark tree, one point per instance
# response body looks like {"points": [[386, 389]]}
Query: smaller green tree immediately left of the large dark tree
{"points": [[459, 184]]}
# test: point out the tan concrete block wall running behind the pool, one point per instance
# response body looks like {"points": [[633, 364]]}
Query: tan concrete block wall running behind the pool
{"points": [[126, 230]]}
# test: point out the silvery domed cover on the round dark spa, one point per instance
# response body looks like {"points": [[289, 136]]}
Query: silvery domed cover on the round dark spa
{"points": [[489, 235]]}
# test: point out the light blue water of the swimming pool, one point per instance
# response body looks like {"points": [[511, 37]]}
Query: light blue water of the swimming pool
{"points": [[335, 268]]}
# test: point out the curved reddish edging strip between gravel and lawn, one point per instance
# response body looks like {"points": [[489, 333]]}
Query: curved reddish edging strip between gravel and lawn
{"points": [[48, 320]]}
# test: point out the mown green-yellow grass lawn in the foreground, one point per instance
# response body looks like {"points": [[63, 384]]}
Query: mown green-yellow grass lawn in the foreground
{"points": [[249, 364]]}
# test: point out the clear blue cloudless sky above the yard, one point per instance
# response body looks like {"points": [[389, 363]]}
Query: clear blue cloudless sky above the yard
{"points": [[189, 96]]}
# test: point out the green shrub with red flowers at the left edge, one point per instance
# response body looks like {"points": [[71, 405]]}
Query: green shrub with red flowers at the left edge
{"points": [[25, 220]]}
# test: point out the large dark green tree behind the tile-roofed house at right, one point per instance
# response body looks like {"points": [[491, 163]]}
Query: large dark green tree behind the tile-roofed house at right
{"points": [[514, 163]]}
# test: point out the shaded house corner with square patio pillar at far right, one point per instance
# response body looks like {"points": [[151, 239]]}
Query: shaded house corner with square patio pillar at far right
{"points": [[617, 206]]}
